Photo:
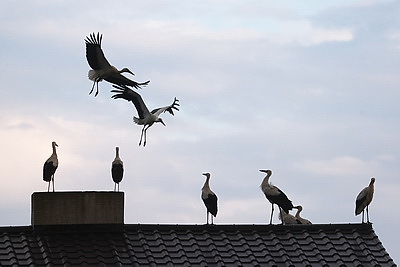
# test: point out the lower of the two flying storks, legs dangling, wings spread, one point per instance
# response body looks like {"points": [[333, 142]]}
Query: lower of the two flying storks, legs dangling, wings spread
{"points": [[146, 118]]}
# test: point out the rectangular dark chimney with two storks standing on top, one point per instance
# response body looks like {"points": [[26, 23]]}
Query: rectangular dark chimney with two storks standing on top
{"points": [[61, 208]]}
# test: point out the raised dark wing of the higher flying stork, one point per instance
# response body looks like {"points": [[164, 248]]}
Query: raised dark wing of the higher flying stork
{"points": [[94, 53]]}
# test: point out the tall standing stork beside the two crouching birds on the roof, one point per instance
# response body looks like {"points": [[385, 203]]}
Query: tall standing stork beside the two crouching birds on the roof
{"points": [[275, 195]]}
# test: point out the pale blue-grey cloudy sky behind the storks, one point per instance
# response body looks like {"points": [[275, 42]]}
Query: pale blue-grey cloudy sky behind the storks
{"points": [[307, 89]]}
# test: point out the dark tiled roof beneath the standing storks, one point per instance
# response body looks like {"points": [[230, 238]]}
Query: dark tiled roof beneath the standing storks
{"points": [[193, 245]]}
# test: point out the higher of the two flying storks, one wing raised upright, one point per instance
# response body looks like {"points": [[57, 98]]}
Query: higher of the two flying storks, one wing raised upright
{"points": [[102, 69]]}
